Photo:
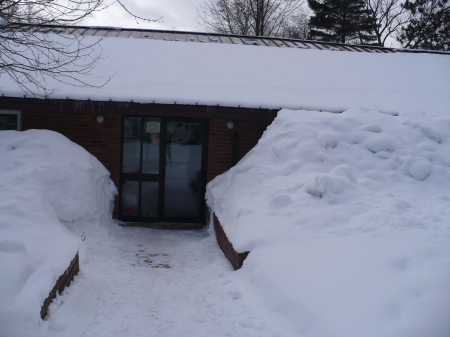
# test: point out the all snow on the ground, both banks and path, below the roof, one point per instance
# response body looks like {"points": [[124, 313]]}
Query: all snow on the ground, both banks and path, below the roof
{"points": [[345, 217]]}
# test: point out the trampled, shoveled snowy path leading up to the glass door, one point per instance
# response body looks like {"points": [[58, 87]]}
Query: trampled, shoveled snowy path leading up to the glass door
{"points": [[144, 282]]}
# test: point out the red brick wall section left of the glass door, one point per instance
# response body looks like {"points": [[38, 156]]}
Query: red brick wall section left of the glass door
{"points": [[102, 140]]}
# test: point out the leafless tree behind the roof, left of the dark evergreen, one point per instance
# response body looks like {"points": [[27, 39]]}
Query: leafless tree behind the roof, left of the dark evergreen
{"points": [[249, 17]]}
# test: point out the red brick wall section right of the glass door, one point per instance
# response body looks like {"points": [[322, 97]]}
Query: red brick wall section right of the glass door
{"points": [[221, 143]]}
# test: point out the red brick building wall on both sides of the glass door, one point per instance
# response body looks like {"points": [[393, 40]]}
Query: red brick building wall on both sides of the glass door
{"points": [[104, 140]]}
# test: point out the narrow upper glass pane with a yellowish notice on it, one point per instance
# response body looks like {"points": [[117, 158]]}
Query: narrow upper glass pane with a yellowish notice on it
{"points": [[150, 151]]}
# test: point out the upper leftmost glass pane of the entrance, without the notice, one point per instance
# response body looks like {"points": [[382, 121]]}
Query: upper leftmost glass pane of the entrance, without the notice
{"points": [[132, 145]]}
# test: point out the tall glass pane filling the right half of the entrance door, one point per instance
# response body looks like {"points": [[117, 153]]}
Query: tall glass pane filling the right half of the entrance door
{"points": [[183, 170]]}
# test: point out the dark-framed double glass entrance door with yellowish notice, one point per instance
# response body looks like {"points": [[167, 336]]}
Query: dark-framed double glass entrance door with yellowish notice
{"points": [[163, 169]]}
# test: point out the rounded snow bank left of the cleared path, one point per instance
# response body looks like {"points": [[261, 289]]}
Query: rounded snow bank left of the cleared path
{"points": [[45, 179]]}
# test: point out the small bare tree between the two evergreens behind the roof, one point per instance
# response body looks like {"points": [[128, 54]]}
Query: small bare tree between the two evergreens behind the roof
{"points": [[389, 15]]}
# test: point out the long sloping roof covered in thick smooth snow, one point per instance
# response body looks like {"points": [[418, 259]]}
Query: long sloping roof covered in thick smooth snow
{"points": [[168, 70]]}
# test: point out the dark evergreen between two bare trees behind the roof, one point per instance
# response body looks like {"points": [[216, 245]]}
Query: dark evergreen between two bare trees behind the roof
{"points": [[345, 21]]}
